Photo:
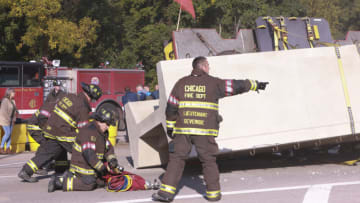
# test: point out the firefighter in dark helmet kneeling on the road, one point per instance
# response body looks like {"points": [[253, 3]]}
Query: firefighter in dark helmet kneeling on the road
{"points": [[90, 150]]}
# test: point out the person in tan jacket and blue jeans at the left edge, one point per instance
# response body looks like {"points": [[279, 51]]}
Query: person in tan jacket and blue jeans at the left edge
{"points": [[7, 119]]}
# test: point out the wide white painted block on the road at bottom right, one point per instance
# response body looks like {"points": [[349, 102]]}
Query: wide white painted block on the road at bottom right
{"points": [[318, 194]]}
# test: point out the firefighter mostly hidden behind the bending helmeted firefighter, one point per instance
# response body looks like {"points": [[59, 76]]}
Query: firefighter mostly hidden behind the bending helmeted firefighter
{"points": [[37, 122]]}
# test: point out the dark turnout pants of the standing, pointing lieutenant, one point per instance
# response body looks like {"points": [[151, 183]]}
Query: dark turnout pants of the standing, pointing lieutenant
{"points": [[206, 148]]}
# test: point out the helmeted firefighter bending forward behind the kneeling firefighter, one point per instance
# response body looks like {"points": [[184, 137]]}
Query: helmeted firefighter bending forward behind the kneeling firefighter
{"points": [[70, 113]]}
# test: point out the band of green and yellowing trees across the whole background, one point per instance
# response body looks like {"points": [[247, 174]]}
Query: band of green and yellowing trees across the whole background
{"points": [[84, 33]]}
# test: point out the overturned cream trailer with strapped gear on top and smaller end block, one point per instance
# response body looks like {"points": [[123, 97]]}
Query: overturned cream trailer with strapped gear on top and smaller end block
{"points": [[312, 99]]}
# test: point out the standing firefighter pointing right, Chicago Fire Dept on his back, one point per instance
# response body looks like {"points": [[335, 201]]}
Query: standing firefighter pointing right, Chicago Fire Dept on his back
{"points": [[192, 118]]}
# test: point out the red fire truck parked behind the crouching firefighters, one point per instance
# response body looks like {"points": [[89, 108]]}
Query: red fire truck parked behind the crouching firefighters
{"points": [[33, 81]]}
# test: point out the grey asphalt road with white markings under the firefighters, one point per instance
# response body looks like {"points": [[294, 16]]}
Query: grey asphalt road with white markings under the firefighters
{"points": [[311, 177]]}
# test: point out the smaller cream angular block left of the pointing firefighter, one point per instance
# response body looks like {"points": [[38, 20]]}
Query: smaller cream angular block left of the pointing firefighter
{"points": [[147, 138]]}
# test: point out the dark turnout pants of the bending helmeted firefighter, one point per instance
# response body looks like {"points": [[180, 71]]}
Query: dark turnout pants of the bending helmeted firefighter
{"points": [[48, 151]]}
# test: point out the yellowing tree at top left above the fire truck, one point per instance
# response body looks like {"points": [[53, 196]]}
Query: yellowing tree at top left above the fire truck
{"points": [[47, 31]]}
